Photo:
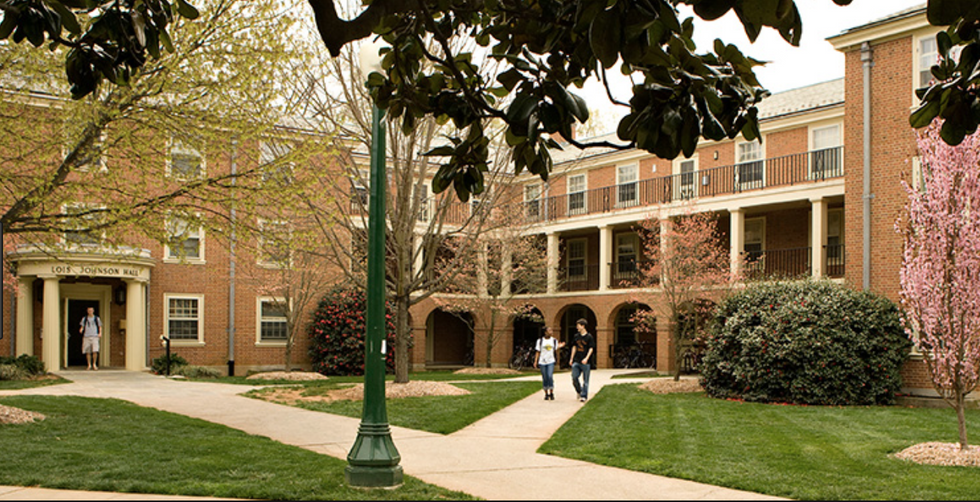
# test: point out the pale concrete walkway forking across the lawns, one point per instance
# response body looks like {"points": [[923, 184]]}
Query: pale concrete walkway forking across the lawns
{"points": [[494, 458]]}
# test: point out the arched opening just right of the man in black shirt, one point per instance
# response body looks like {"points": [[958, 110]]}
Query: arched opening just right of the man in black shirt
{"points": [[635, 337]]}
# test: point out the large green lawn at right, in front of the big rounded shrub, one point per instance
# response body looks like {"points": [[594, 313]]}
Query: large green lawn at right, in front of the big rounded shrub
{"points": [[801, 452]]}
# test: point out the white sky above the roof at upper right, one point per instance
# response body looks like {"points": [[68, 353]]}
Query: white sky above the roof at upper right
{"points": [[789, 67]]}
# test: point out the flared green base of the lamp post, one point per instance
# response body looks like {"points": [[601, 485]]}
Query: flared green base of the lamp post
{"points": [[373, 460]]}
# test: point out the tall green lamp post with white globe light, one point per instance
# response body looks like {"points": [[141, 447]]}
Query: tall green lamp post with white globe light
{"points": [[373, 460]]}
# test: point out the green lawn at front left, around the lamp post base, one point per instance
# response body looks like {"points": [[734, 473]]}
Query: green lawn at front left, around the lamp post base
{"points": [[112, 445]]}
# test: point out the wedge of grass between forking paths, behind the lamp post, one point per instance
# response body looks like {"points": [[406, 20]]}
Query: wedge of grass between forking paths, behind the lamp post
{"points": [[438, 414]]}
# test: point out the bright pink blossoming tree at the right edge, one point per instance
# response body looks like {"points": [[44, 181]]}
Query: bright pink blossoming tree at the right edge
{"points": [[940, 274]]}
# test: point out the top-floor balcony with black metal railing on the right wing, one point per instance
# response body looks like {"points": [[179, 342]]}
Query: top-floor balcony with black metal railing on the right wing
{"points": [[789, 170]]}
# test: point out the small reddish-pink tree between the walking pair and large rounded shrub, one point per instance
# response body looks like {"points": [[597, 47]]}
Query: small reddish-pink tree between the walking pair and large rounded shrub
{"points": [[687, 259]]}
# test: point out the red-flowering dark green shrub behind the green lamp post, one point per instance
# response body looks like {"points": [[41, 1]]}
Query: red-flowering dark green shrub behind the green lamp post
{"points": [[337, 334]]}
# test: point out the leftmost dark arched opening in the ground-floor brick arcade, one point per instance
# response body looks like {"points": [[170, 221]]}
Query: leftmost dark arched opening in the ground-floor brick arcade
{"points": [[450, 339]]}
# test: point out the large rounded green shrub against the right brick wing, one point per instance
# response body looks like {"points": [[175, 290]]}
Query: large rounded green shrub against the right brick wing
{"points": [[806, 342]]}
